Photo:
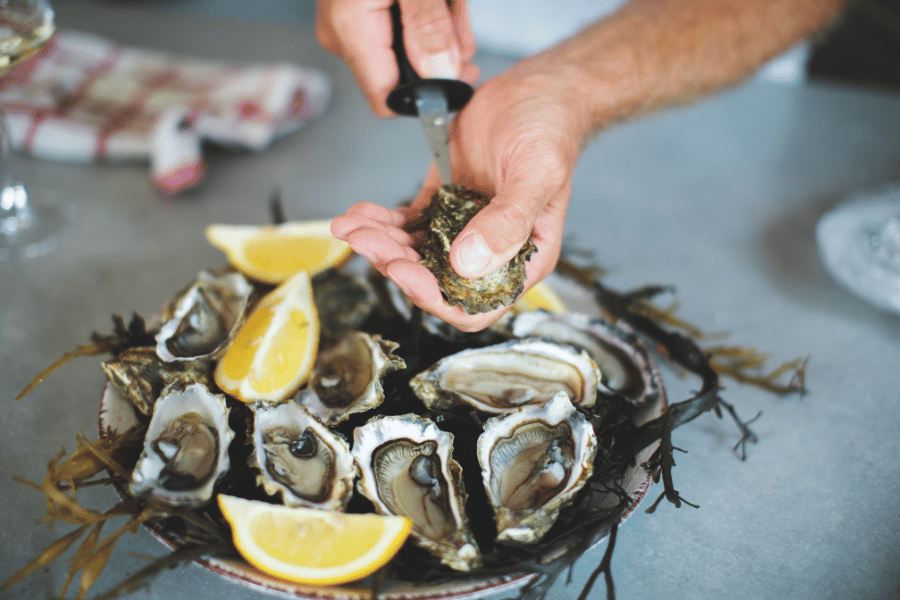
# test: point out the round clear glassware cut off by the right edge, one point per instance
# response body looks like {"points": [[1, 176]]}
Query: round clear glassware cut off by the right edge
{"points": [[859, 242]]}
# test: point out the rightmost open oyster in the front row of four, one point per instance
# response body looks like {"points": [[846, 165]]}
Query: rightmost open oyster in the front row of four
{"points": [[533, 462]]}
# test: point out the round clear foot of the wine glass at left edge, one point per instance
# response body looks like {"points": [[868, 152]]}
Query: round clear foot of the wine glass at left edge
{"points": [[40, 232]]}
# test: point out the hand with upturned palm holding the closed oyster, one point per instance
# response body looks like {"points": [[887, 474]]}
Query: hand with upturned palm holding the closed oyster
{"points": [[517, 141]]}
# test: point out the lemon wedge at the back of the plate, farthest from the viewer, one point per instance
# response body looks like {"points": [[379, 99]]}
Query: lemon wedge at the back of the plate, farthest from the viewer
{"points": [[273, 253]]}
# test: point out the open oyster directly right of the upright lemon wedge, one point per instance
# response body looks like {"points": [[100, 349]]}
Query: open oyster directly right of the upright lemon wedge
{"points": [[346, 378]]}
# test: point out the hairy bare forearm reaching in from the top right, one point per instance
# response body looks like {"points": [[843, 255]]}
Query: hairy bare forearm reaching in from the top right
{"points": [[656, 53]]}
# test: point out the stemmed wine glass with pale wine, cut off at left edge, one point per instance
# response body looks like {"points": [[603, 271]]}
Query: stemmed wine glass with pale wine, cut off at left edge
{"points": [[27, 228]]}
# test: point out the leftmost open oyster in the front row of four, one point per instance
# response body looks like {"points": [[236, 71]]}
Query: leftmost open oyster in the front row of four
{"points": [[185, 448]]}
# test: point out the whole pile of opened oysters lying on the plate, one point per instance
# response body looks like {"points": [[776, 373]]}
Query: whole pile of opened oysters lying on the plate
{"points": [[497, 427]]}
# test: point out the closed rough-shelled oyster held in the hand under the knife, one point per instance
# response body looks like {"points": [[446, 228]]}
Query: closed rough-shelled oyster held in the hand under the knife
{"points": [[452, 207]]}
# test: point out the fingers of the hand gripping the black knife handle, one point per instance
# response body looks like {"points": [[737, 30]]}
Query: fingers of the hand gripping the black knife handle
{"points": [[438, 40]]}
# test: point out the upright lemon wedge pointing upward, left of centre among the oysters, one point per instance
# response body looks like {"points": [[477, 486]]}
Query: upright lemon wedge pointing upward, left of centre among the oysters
{"points": [[274, 350]]}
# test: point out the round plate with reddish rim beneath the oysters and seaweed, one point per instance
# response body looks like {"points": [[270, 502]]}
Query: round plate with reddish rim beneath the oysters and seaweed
{"points": [[117, 414]]}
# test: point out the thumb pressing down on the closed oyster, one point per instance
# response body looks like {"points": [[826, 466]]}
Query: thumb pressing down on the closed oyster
{"points": [[492, 237]]}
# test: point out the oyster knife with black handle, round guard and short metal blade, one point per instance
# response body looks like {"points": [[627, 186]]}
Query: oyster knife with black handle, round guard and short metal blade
{"points": [[431, 100]]}
